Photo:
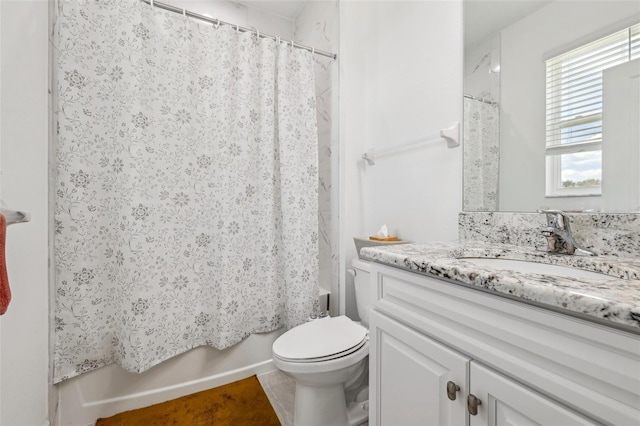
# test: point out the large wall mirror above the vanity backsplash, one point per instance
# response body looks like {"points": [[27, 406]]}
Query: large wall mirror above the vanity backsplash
{"points": [[506, 161]]}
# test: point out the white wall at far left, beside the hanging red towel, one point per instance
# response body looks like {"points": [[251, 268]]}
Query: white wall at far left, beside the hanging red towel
{"points": [[24, 329]]}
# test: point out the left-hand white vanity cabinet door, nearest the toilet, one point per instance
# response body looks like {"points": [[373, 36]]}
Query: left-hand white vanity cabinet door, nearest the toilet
{"points": [[409, 375]]}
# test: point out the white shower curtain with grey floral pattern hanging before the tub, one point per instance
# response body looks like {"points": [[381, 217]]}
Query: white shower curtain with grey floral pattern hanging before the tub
{"points": [[185, 186]]}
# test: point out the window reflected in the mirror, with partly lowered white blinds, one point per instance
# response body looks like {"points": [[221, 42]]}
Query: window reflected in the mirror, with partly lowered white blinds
{"points": [[574, 112]]}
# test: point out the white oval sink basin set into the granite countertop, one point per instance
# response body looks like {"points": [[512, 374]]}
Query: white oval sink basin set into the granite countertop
{"points": [[523, 266]]}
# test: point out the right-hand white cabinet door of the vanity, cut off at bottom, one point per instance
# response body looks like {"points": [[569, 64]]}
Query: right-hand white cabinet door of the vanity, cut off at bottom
{"points": [[506, 402]]}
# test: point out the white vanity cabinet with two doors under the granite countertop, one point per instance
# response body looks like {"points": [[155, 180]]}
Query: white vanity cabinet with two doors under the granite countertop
{"points": [[437, 345]]}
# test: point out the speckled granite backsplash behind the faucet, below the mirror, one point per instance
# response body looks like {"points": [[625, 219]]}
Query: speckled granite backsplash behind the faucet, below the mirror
{"points": [[615, 234]]}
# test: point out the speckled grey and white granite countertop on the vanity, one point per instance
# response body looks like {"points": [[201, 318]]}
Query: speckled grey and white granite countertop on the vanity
{"points": [[614, 301]]}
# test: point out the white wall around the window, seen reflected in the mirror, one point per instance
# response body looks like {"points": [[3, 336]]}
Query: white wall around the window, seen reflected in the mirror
{"points": [[554, 29]]}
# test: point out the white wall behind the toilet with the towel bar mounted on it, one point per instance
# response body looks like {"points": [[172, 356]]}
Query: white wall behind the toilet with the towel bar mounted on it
{"points": [[400, 80]]}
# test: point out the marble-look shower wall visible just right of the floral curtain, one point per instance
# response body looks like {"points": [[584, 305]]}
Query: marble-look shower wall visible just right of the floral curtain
{"points": [[317, 26]]}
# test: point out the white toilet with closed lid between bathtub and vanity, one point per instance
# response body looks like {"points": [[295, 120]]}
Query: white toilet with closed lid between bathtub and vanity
{"points": [[327, 358]]}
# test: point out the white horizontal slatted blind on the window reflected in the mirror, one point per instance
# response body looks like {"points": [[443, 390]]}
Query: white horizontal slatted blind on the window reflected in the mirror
{"points": [[574, 91]]}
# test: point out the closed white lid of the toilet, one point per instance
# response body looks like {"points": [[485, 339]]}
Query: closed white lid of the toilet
{"points": [[320, 339]]}
